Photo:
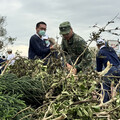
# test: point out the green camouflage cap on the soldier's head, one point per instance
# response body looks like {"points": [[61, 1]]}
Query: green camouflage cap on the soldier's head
{"points": [[65, 28]]}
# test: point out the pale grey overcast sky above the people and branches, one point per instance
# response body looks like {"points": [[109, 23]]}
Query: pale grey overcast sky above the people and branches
{"points": [[22, 16]]}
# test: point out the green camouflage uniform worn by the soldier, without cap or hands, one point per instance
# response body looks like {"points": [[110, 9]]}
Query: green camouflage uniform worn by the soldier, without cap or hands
{"points": [[73, 48]]}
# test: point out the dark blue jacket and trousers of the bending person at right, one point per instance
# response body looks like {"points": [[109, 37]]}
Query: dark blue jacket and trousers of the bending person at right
{"points": [[104, 55]]}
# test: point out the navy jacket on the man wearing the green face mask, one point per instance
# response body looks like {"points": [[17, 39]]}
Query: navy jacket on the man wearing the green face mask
{"points": [[37, 48]]}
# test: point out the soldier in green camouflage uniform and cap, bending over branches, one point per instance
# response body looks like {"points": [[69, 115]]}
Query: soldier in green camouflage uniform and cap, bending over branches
{"points": [[74, 45]]}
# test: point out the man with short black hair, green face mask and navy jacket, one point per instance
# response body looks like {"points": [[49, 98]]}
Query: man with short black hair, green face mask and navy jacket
{"points": [[37, 46]]}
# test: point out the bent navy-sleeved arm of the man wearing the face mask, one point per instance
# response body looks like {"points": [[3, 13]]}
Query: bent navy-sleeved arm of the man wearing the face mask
{"points": [[37, 48]]}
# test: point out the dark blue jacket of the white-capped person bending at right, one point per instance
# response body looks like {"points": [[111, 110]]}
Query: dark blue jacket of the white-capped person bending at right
{"points": [[104, 55]]}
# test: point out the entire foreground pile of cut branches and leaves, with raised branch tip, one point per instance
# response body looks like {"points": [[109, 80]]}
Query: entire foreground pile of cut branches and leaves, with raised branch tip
{"points": [[55, 93]]}
